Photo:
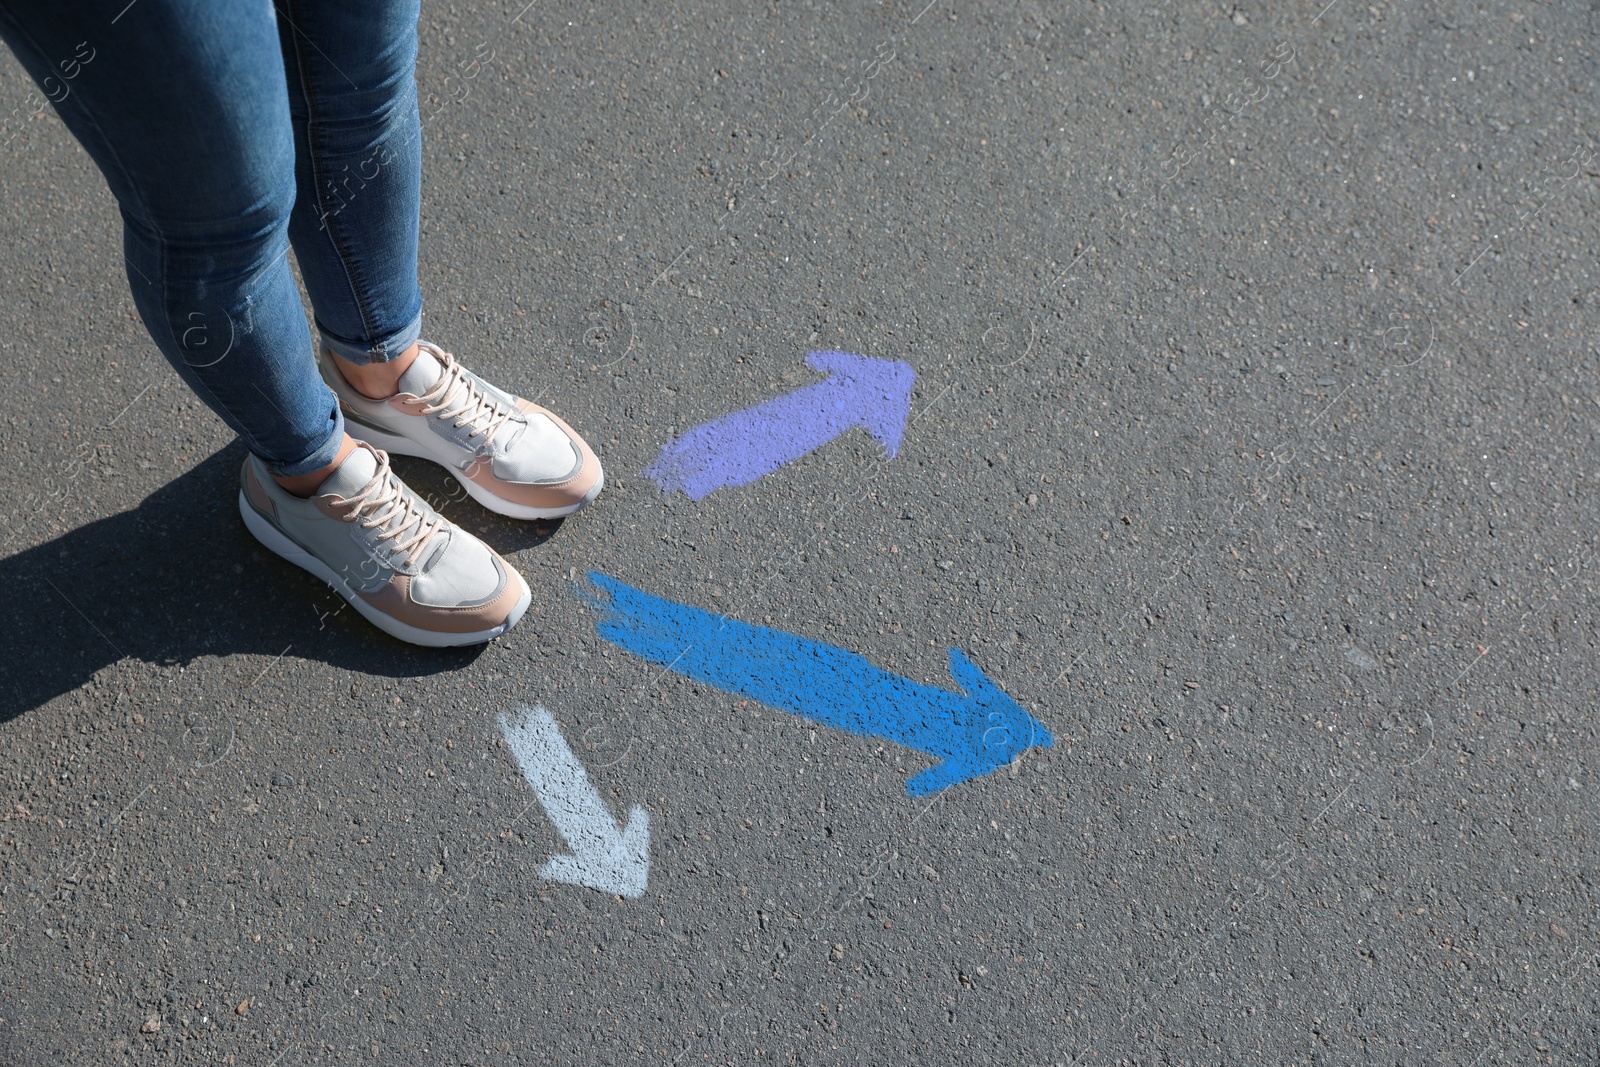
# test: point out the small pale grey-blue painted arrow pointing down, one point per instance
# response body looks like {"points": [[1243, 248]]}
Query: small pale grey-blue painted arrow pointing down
{"points": [[606, 857]]}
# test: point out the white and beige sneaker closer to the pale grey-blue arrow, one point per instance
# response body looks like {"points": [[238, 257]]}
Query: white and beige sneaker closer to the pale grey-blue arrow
{"points": [[394, 559]]}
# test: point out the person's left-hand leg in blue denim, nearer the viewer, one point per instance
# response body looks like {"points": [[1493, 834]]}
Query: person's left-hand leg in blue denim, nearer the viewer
{"points": [[183, 106]]}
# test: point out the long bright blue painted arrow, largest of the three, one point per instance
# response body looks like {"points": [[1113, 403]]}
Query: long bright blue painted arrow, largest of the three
{"points": [[972, 733]]}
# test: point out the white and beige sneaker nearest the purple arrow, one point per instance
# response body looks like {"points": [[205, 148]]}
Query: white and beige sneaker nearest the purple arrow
{"points": [[510, 455]]}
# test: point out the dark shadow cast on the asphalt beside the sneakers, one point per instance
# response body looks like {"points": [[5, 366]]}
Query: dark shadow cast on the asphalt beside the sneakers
{"points": [[180, 578]]}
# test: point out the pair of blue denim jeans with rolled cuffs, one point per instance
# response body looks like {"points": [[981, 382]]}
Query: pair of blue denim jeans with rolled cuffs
{"points": [[231, 130]]}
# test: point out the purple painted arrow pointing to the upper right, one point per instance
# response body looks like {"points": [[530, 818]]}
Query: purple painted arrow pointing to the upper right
{"points": [[740, 449]]}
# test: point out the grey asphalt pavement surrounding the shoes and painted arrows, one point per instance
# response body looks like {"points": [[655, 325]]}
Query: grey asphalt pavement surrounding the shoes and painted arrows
{"points": [[1252, 452]]}
